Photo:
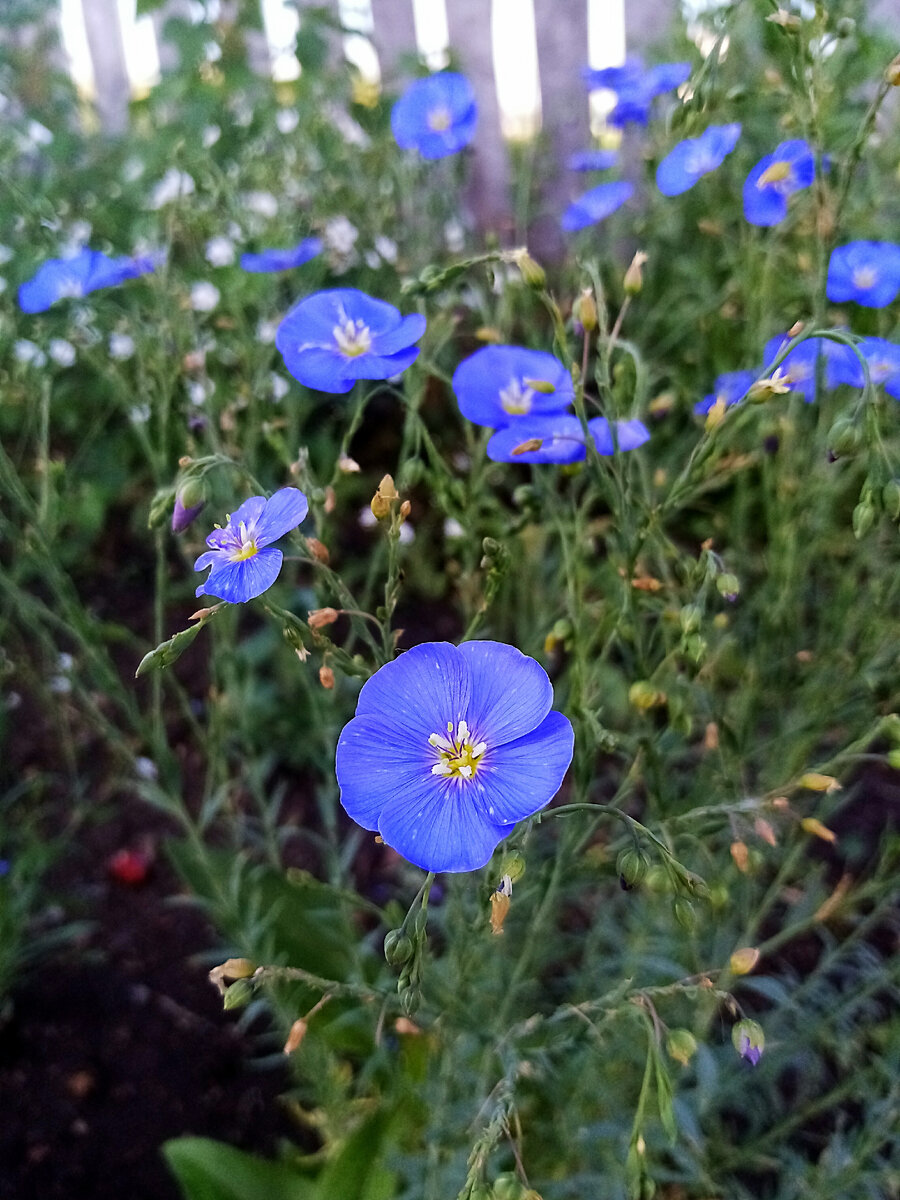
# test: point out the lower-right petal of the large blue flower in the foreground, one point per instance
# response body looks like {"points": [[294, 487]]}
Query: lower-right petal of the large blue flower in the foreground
{"points": [[518, 779]]}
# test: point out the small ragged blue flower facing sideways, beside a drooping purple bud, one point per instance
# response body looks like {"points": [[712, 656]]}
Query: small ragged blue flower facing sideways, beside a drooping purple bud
{"points": [[244, 562]]}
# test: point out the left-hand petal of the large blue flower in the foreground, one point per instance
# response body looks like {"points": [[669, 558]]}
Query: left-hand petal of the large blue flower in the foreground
{"points": [[373, 764]]}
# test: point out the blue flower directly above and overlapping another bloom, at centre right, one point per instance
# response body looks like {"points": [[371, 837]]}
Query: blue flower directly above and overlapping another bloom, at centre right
{"points": [[500, 385]]}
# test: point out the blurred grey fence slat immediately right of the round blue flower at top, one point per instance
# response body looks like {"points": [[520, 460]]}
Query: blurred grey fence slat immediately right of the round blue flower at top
{"points": [[489, 193]]}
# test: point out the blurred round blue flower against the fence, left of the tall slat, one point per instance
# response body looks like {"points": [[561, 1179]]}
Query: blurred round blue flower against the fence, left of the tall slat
{"points": [[436, 116]]}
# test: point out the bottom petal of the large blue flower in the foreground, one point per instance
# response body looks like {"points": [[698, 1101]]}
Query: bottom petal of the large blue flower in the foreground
{"points": [[440, 827]]}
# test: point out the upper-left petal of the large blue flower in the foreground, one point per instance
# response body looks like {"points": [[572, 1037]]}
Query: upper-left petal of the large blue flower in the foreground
{"points": [[421, 693]]}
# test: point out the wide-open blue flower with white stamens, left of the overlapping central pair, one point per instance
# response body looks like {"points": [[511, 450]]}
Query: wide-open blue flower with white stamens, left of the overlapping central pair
{"points": [[333, 339]]}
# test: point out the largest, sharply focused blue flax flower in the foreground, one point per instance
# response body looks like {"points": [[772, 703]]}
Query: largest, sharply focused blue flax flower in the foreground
{"points": [[449, 749]]}
